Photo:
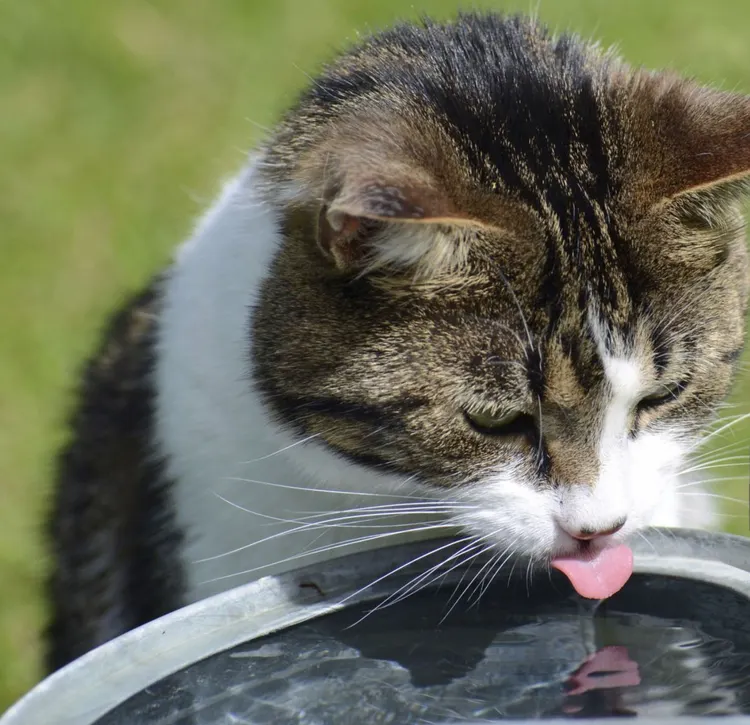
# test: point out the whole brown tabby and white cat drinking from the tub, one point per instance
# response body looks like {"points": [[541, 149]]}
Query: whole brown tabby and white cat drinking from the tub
{"points": [[479, 279]]}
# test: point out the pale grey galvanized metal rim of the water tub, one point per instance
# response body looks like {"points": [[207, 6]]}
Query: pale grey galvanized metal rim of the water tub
{"points": [[88, 688]]}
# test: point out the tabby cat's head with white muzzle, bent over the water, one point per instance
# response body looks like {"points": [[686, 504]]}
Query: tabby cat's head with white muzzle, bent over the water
{"points": [[512, 269]]}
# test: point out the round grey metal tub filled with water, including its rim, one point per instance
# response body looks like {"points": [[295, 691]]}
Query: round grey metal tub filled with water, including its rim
{"points": [[365, 639]]}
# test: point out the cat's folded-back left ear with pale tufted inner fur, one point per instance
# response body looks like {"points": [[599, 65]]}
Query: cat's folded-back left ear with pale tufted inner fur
{"points": [[397, 221]]}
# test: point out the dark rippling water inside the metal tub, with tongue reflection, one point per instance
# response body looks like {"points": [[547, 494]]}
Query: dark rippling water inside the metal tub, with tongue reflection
{"points": [[662, 647]]}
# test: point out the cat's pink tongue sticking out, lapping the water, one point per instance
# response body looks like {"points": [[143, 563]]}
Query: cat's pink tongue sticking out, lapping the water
{"points": [[600, 576]]}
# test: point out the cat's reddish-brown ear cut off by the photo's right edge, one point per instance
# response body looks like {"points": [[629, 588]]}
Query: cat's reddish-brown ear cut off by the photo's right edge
{"points": [[704, 137]]}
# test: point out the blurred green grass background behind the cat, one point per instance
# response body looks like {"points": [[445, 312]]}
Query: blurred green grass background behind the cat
{"points": [[119, 120]]}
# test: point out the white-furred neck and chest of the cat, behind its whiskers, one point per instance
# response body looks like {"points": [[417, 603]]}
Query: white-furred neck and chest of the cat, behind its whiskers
{"points": [[239, 477]]}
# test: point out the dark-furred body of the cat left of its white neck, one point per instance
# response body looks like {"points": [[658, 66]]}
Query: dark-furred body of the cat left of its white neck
{"points": [[113, 535]]}
